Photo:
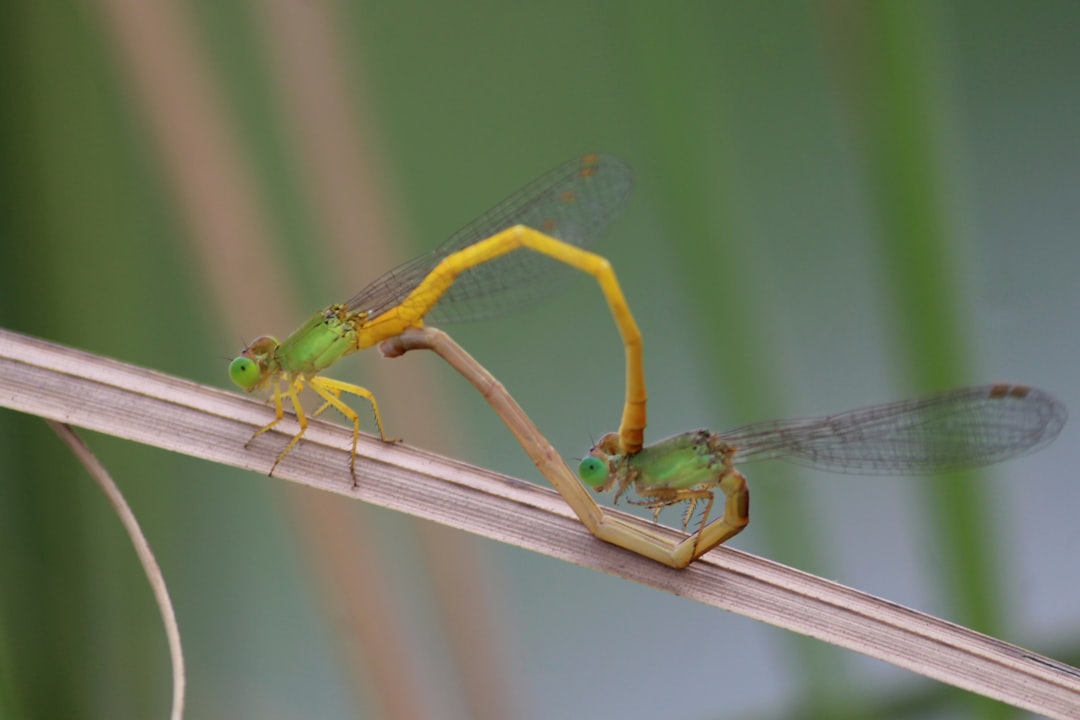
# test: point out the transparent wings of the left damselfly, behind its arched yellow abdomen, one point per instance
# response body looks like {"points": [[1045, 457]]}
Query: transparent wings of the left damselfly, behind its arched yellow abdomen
{"points": [[576, 202]]}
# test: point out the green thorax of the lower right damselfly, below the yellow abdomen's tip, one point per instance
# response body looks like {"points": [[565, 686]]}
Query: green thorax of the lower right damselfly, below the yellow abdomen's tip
{"points": [[686, 460]]}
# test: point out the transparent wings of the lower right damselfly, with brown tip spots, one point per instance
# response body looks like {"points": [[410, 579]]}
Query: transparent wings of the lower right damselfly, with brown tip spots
{"points": [[954, 429]]}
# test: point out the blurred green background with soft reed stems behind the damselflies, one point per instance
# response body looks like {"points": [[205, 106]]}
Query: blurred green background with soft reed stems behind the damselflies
{"points": [[838, 203]]}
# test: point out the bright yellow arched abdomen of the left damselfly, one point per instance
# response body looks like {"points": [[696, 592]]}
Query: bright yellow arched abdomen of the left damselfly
{"points": [[427, 294]]}
